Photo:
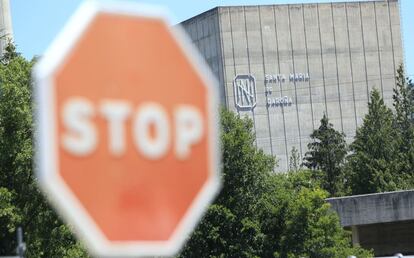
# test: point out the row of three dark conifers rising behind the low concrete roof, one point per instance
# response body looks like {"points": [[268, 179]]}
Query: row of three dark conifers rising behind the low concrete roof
{"points": [[382, 154]]}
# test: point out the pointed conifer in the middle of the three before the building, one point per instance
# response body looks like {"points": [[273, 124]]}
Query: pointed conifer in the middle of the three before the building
{"points": [[373, 164]]}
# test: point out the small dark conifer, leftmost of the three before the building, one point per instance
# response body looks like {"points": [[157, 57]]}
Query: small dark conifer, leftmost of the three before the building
{"points": [[327, 153]]}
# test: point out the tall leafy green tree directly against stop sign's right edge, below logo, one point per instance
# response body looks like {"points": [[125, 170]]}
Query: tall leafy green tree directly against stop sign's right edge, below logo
{"points": [[230, 228]]}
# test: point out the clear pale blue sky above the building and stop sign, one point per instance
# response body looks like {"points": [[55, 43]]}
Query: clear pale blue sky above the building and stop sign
{"points": [[37, 22]]}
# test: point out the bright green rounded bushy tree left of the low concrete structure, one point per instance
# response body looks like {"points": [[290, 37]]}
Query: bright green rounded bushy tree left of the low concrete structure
{"points": [[297, 221]]}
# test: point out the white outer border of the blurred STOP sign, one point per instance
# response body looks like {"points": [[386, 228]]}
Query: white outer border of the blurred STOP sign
{"points": [[46, 144]]}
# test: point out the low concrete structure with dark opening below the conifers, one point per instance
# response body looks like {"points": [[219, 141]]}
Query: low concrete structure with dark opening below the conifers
{"points": [[383, 222]]}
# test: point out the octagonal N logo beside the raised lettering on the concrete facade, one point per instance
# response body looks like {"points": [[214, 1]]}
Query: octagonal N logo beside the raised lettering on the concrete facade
{"points": [[245, 91]]}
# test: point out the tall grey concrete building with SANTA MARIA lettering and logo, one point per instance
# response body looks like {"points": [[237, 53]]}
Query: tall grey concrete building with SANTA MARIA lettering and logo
{"points": [[284, 66]]}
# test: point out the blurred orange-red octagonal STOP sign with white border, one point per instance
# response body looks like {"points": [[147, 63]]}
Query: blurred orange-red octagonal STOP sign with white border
{"points": [[127, 130]]}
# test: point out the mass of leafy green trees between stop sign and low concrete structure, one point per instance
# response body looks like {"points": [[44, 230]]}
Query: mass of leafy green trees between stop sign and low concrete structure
{"points": [[261, 214]]}
